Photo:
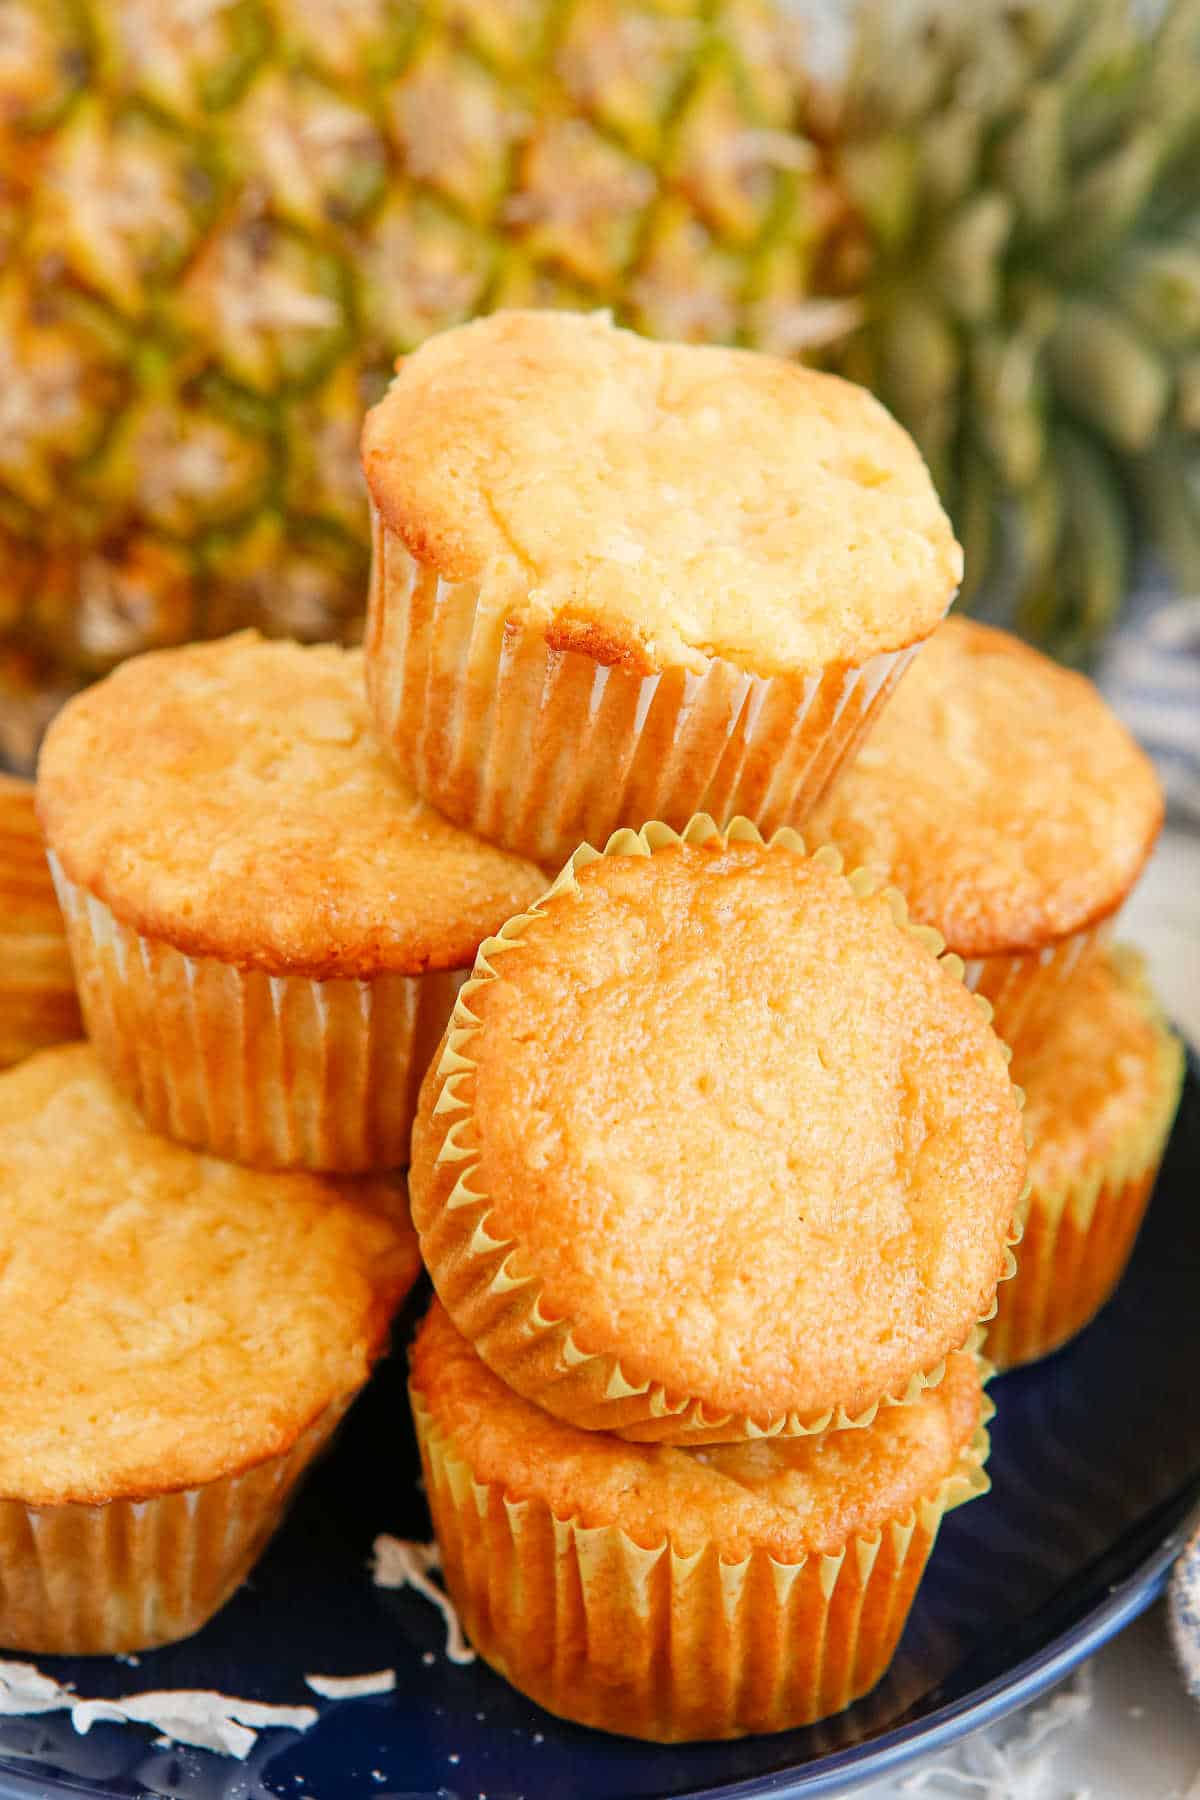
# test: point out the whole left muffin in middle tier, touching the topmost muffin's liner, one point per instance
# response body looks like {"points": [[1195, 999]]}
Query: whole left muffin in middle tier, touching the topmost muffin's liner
{"points": [[269, 928]]}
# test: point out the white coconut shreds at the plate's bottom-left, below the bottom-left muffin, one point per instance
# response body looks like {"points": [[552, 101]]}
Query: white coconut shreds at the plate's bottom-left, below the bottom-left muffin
{"points": [[210, 1722]]}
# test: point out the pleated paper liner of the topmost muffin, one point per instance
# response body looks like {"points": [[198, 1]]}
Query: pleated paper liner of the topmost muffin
{"points": [[542, 750]]}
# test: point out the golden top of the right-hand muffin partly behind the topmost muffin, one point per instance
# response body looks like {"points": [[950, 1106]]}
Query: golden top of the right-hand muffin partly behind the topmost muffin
{"points": [[999, 793]]}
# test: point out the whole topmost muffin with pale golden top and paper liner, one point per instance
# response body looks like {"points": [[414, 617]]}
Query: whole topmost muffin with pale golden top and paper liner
{"points": [[620, 580]]}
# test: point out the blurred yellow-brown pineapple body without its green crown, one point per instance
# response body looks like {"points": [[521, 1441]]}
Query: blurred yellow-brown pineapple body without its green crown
{"points": [[224, 219]]}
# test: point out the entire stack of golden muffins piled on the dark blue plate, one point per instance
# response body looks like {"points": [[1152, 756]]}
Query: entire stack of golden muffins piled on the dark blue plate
{"points": [[717, 1162]]}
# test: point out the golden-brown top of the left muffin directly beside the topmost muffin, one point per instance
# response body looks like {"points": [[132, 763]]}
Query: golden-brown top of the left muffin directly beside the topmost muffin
{"points": [[231, 800]]}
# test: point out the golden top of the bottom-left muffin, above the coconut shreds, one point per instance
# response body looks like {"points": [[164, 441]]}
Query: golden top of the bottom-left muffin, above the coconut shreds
{"points": [[166, 1318]]}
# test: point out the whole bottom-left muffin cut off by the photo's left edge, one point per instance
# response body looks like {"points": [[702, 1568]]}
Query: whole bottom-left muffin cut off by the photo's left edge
{"points": [[179, 1340]]}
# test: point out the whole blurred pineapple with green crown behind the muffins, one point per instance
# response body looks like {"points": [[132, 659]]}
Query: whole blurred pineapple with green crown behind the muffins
{"points": [[222, 220]]}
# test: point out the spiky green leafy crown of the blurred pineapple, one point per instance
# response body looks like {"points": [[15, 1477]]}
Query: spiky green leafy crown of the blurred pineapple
{"points": [[1030, 177]]}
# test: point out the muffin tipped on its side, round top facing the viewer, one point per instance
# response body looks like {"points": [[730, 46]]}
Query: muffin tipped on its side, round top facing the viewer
{"points": [[717, 1146]]}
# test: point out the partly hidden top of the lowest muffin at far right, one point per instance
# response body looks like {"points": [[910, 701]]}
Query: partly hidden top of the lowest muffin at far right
{"points": [[1104, 1075]]}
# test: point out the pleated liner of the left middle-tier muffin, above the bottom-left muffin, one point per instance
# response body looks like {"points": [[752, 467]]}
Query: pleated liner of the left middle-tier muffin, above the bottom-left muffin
{"points": [[278, 1072]]}
